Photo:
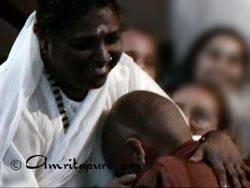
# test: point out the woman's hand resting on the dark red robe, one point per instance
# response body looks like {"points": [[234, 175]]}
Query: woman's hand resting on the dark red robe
{"points": [[224, 157]]}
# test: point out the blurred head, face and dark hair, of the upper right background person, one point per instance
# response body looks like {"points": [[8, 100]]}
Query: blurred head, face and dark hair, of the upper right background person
{"points": [[220, 56]]}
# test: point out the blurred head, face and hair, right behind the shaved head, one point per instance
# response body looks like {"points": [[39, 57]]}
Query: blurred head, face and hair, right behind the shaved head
{"points": [[204, 106]]}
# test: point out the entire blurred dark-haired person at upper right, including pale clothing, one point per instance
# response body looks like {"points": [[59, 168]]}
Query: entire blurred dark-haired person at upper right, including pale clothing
{"points": [[221, 57]]}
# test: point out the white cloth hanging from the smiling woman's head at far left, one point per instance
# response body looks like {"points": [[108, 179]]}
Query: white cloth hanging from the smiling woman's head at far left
{"points": [[19, 76]]}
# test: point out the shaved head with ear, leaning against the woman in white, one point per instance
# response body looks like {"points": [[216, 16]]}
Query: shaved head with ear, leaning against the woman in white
{"points": [[141, 127]]}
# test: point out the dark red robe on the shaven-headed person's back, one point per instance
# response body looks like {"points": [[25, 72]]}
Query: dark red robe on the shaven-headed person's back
{"points": [[177, 171]]}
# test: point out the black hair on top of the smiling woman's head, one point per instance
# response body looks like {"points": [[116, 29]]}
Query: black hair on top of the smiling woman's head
{"points": [[54, 16]]}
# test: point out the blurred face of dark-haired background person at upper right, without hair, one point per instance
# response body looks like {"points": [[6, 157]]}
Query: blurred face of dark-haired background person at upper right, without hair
{"points": [[221, 63]]}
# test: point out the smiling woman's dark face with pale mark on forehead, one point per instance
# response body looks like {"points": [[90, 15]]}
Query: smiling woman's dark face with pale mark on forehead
{"points": [[84, 54]]}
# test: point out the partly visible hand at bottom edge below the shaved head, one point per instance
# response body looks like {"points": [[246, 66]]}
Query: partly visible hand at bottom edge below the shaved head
{"points": [[123, 182]]}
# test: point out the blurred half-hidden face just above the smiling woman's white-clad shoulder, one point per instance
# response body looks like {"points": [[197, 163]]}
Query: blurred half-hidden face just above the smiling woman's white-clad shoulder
{"points": [[142, 49]]}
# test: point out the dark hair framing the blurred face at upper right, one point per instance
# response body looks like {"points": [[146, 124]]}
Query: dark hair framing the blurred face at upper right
{"points": [[190, 62]]}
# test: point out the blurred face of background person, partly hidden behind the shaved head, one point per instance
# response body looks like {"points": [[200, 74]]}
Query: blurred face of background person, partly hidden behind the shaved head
{"points": [[200, 107]]}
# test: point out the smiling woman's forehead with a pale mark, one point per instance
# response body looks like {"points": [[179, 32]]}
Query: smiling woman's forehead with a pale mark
{"points": [[96, 21]]}
